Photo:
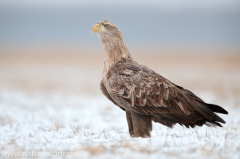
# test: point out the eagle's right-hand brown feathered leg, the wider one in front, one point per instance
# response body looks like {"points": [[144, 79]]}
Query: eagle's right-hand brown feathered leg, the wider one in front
{"points": [[142, 125]]}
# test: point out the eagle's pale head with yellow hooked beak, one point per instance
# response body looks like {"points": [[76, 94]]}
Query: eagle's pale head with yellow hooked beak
{"points": [[106, 29]]}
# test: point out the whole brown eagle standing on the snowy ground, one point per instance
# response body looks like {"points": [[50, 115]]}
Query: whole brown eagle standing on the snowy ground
{"points": [[145, 95]]}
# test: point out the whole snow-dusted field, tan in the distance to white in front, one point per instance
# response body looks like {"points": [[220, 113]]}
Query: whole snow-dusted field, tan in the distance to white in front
{"points": [[57, 110]]}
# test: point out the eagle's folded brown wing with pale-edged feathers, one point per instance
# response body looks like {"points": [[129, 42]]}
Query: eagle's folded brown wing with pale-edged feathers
{"points": [[148, 93]]}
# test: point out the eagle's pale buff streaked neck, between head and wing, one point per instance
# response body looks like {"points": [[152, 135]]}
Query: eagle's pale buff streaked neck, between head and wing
{"points": [[114, 51]]}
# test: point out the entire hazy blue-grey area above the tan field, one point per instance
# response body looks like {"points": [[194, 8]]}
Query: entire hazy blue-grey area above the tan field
{"points": [[181, 22]]}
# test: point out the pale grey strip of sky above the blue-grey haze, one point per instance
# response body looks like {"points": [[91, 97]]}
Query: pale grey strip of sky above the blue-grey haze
{"points": [[170, 5]]}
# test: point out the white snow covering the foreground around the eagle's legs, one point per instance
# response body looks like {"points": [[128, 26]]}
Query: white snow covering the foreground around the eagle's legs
{"points": [[98, 129]]}
